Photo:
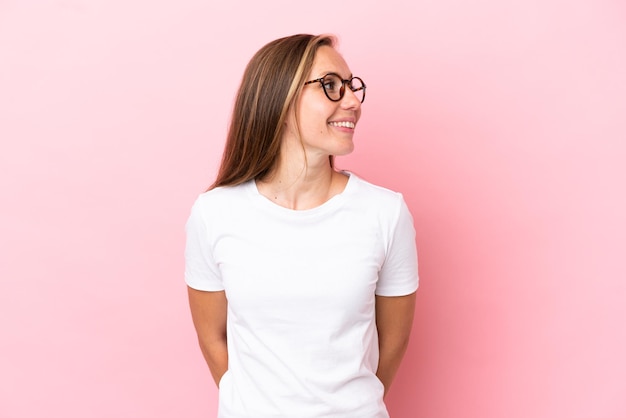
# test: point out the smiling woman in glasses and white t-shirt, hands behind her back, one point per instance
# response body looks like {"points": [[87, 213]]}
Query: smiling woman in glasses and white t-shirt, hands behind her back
{"points": [[301, 278]]}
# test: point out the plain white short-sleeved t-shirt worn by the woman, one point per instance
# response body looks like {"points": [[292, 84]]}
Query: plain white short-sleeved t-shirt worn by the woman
{"points": [[301, 330]]}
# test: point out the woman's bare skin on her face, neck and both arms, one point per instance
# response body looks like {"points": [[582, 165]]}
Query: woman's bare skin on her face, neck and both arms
{"points": [[304, 179]]}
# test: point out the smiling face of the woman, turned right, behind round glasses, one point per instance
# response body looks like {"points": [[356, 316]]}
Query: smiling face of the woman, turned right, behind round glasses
{"points": [[327, 127]]}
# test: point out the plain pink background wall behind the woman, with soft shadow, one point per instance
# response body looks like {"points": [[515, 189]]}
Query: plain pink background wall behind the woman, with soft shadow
{"points": [[503, 123]]}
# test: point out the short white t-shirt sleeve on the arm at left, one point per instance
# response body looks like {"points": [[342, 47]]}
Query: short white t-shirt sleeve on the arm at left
{"points": [[201, 271]]}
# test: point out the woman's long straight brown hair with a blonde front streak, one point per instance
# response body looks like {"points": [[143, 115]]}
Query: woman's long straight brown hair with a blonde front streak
{"points": [[271, 85]]}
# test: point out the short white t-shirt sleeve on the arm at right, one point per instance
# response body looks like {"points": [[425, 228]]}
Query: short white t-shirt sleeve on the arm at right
{"points": [[399, 276]]}
